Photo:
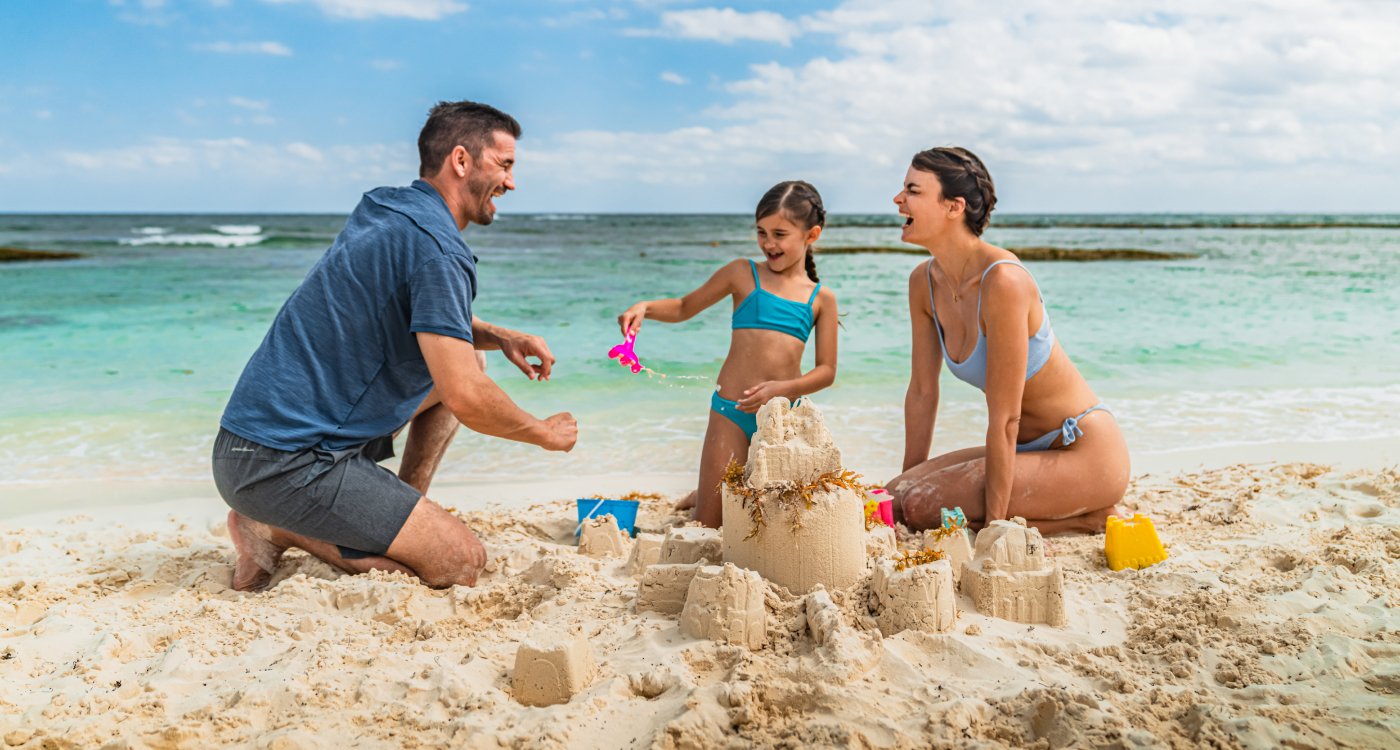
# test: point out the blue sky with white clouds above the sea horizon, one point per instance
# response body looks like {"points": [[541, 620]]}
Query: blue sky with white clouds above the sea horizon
{"points": [[696, 107]]}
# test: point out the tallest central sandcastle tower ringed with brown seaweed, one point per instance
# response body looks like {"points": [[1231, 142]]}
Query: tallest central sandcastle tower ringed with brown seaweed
{"points": [[800, 541]]}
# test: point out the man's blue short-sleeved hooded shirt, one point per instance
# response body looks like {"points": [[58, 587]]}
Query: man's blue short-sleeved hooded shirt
{"points": [[341, 365]]}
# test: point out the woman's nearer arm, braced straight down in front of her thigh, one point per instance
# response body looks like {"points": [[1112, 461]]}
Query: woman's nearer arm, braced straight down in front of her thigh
{"points": [[1006, 307]]}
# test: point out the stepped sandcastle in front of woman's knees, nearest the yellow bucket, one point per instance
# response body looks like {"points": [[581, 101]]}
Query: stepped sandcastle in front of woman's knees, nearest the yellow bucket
{"points": [[1010, 577]]}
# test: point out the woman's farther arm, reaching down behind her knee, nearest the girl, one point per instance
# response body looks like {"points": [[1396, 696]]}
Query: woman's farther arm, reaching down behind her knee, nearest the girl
{"points": [[926, 365]]}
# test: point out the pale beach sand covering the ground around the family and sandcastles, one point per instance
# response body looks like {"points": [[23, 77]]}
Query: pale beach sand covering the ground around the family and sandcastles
{"points": [[1273, 623]]}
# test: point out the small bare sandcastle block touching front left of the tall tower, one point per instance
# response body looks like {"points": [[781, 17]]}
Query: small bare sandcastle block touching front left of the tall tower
{"points": [[726, 604]]}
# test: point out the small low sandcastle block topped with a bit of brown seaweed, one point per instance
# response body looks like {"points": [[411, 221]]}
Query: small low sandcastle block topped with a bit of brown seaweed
{"points": [[919, 597]]}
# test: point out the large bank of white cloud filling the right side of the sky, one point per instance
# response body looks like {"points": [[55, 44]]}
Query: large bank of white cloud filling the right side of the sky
{"points": [[1076, 107]]}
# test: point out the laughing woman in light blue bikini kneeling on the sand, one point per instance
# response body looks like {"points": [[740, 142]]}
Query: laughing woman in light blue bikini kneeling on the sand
{"points": [[1053, 455]]}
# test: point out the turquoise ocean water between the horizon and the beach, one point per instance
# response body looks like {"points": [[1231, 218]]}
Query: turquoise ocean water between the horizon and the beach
{"points": [[117, 366]]}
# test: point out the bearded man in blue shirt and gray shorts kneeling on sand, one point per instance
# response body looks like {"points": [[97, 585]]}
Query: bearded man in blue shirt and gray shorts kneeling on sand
{"points": [[377, 337]]}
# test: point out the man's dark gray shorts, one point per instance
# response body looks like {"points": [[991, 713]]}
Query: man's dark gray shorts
{"points": [[342, 497]]}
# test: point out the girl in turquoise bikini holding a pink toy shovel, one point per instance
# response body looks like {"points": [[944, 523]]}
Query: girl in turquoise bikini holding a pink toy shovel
{"points": [[776, 306]]}
